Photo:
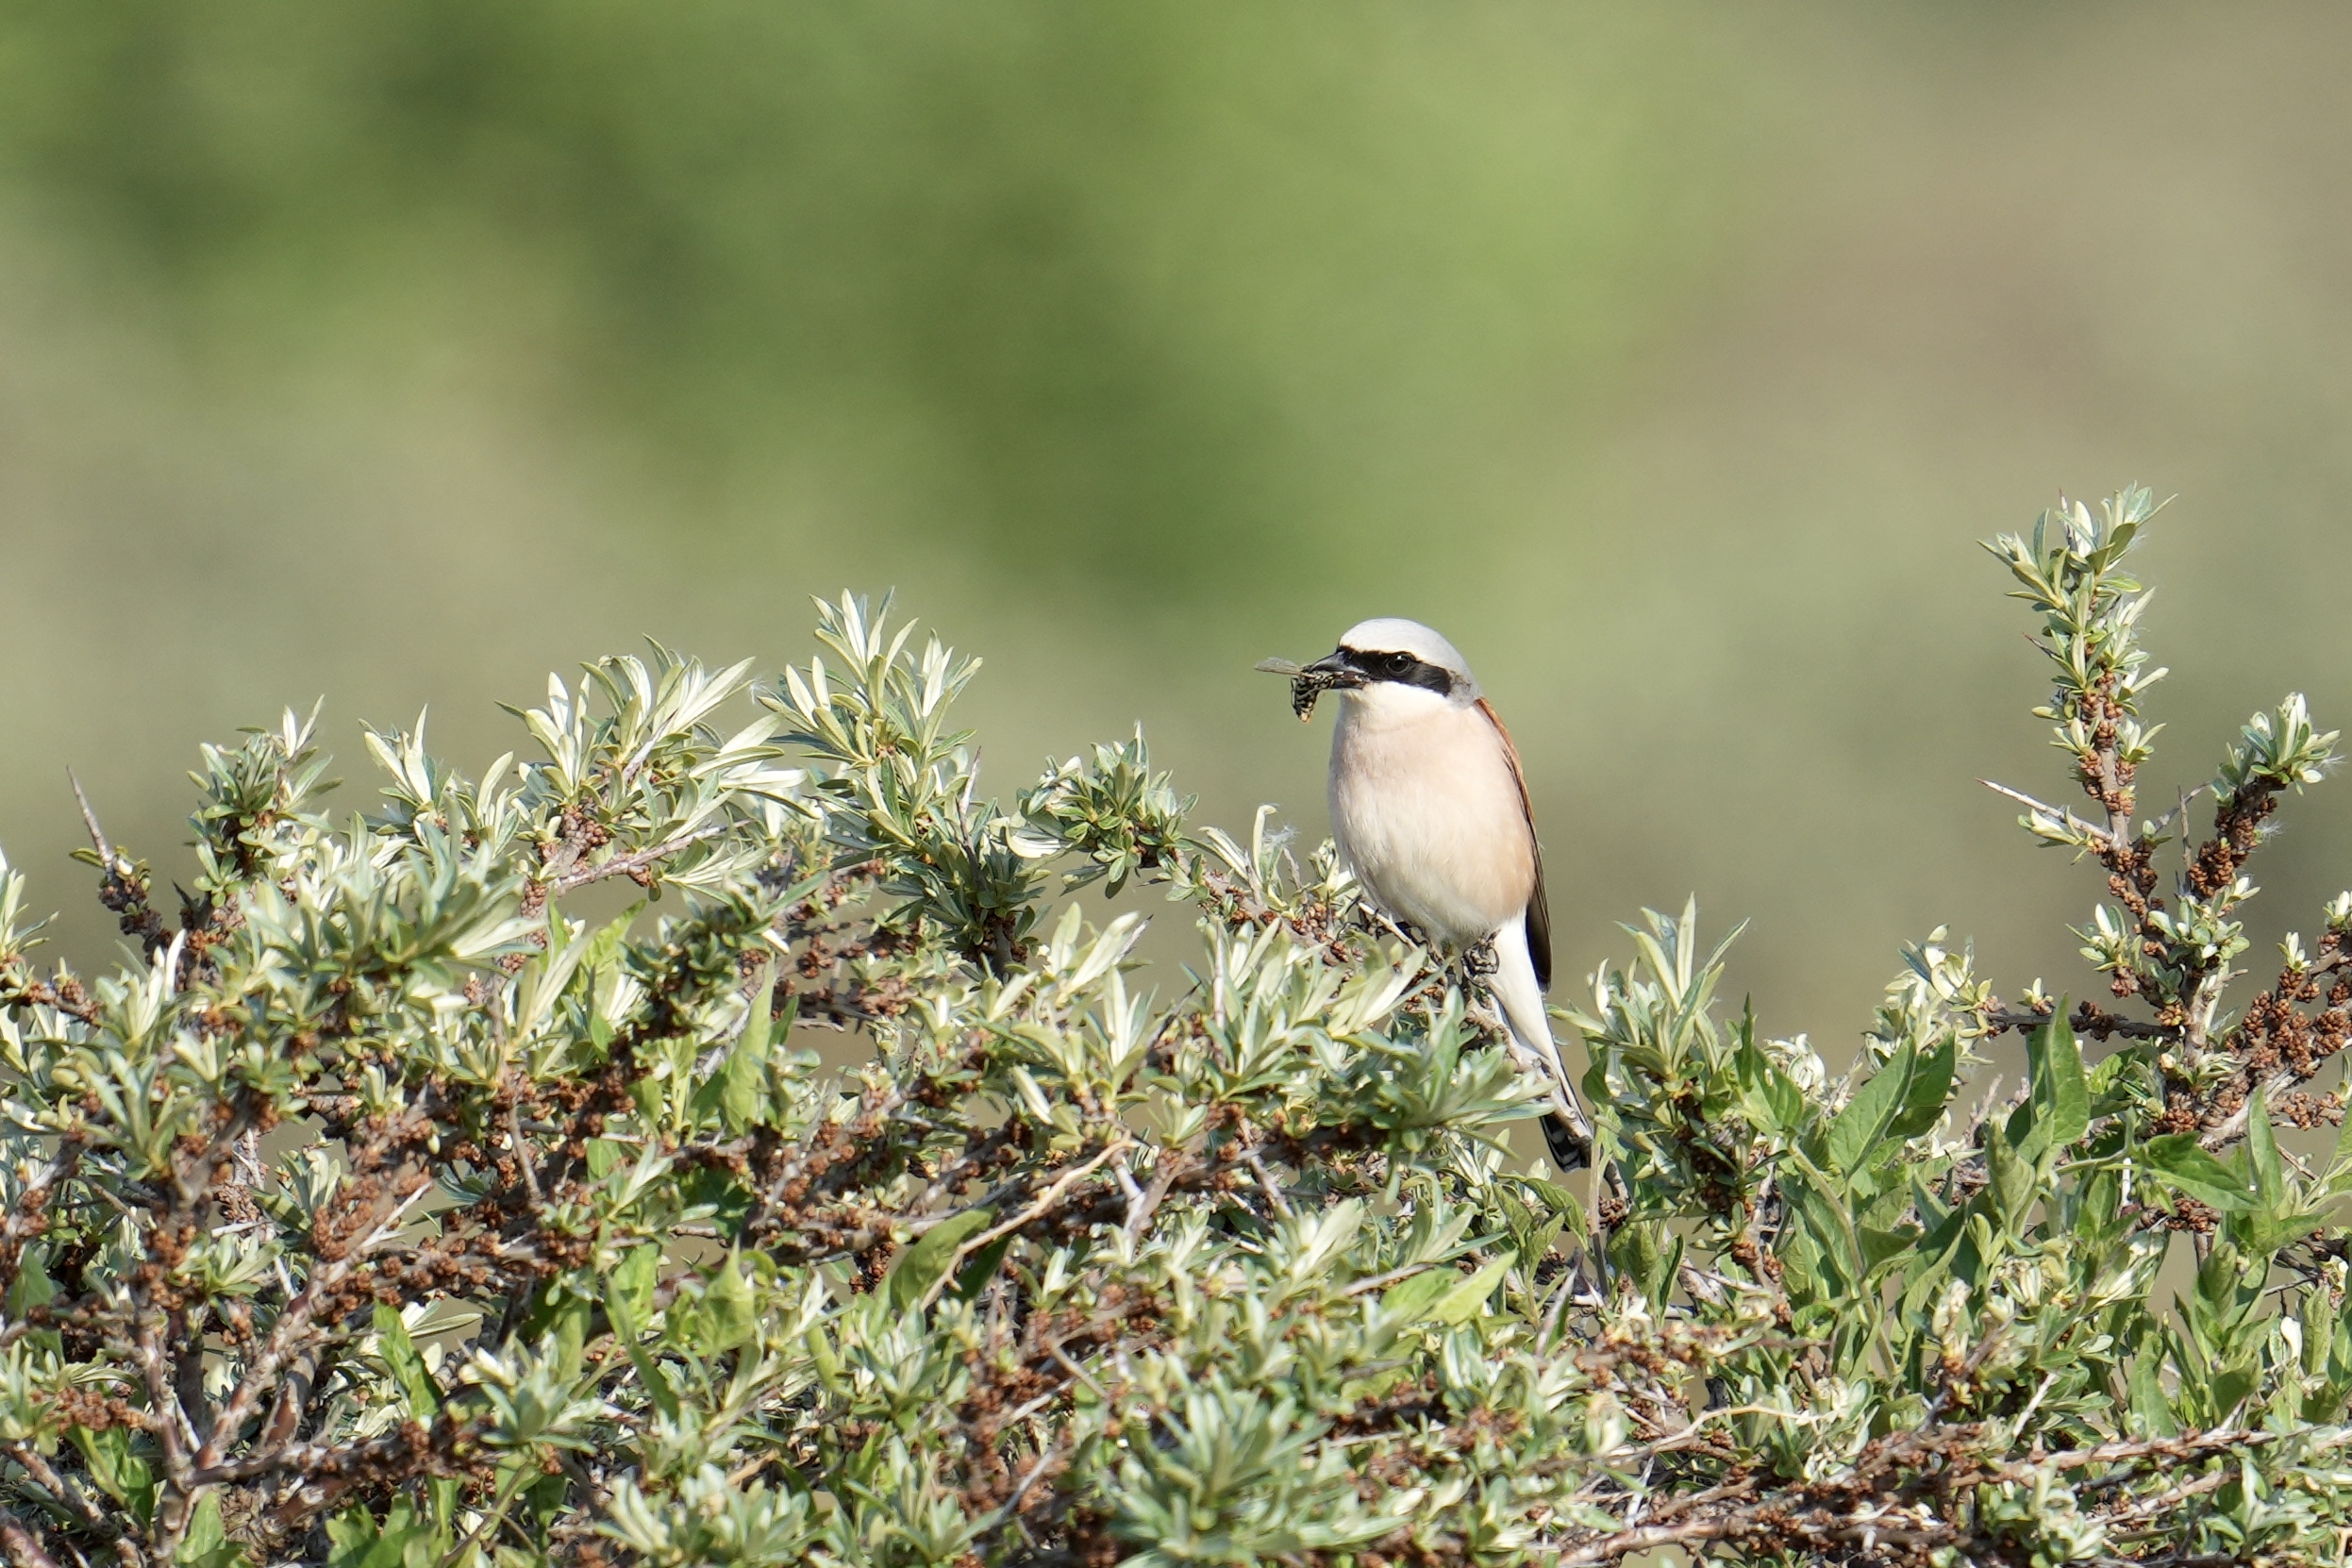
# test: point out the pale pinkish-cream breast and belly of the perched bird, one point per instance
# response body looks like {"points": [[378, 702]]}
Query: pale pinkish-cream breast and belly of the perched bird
{"points": [[1429, 817]]}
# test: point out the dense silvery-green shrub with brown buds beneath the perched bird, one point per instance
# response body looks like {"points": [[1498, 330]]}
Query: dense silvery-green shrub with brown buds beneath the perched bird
{"points": [[406, 1200]]}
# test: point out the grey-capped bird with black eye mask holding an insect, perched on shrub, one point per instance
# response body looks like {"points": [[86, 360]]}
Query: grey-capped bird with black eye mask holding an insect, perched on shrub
{"points": [[1434, 819]]}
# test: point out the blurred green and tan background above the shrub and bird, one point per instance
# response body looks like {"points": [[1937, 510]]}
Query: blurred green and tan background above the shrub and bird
{"points": [[1671, 359]]}
